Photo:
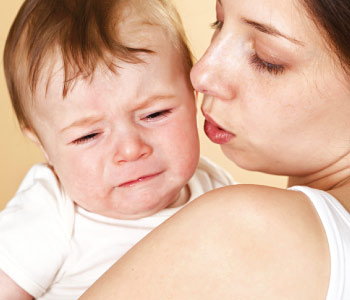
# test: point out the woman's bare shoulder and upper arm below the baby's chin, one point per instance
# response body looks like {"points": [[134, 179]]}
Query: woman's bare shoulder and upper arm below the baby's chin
{"points": [[241, 242]]}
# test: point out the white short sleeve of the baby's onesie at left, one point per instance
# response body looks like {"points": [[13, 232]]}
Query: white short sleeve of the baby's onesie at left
{"points": [[34, 235]]}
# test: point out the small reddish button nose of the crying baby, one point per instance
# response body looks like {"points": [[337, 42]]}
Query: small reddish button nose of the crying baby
{"points": [[131, 147]]}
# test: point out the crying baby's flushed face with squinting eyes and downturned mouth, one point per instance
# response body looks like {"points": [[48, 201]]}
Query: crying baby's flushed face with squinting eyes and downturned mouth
{"points": [[123, 145]]}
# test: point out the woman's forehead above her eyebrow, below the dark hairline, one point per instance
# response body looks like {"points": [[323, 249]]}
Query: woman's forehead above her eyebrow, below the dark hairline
{"points": [[290, 18]]}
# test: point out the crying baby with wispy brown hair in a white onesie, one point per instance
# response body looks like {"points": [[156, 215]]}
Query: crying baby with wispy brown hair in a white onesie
{"points": [[103, 88]]}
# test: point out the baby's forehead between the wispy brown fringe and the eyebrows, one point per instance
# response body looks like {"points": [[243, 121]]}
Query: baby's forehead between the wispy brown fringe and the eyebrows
{"points": [[105, 90]]}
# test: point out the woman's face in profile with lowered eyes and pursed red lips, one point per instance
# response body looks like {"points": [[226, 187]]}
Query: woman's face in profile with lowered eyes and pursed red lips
{"points": [[275, 88]]}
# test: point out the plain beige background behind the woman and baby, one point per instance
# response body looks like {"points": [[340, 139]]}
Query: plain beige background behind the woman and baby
{"points": [[17, 153]]}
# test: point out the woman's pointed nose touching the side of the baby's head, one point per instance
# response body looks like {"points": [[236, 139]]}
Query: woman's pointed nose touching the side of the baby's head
{"points": [[211, 75]]}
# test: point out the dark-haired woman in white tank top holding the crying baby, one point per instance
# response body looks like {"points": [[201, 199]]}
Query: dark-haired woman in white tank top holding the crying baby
{"points": [[277, 99]]}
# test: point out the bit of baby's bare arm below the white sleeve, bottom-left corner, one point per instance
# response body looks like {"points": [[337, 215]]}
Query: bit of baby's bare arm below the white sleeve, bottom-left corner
{"points": [[10, 290]]}
